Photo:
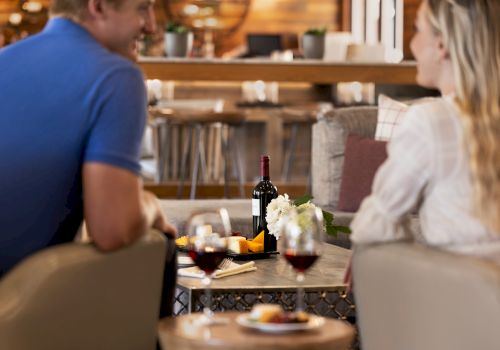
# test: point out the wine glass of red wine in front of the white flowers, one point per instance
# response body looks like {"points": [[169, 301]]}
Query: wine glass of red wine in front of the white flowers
{"points": [[302, 237]]}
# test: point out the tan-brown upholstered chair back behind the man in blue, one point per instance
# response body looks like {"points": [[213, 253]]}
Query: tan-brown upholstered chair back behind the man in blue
{"points": [[73, 296]]}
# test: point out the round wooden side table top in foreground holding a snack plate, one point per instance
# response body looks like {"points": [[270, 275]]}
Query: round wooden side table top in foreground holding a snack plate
{"points": [[181, 333]]}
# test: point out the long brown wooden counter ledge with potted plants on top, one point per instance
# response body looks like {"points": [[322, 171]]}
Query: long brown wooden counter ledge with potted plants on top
{"points": [[312, 71]]}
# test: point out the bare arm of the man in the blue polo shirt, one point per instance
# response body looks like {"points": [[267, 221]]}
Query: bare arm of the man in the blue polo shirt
{"points": [[116, 209]]}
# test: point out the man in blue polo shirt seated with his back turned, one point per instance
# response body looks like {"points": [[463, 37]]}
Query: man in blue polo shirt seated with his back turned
{"points": [[72, 114]]}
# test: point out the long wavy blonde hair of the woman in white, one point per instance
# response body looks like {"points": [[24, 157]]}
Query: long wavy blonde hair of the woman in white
{"points": [[470, 30]]}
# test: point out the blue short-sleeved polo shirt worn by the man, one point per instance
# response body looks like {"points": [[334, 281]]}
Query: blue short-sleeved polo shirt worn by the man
{"points": [[64, 100]]}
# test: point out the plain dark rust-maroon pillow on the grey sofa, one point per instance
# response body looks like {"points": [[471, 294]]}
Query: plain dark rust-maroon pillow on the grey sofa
{"points": [[363, 156]]}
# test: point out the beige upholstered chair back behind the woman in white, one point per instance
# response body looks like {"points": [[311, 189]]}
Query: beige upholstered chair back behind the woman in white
{"points": [[414, 297]]}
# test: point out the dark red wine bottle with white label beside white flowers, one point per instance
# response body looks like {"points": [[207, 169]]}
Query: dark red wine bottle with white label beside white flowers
{"points": [[262, 194]]}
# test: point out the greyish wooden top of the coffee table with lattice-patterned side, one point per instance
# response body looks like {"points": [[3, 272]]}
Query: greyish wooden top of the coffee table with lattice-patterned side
{"points": [[276, 273]]}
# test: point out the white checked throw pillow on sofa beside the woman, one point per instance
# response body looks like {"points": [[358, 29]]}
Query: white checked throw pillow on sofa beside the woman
{"points": [[390, 114]]}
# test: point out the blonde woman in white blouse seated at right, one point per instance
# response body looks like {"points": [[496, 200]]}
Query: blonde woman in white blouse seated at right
{"points": [[444, 160]]}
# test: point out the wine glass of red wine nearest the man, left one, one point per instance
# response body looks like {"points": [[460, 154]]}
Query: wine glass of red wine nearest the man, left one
{"points": [[207, 246]]}
